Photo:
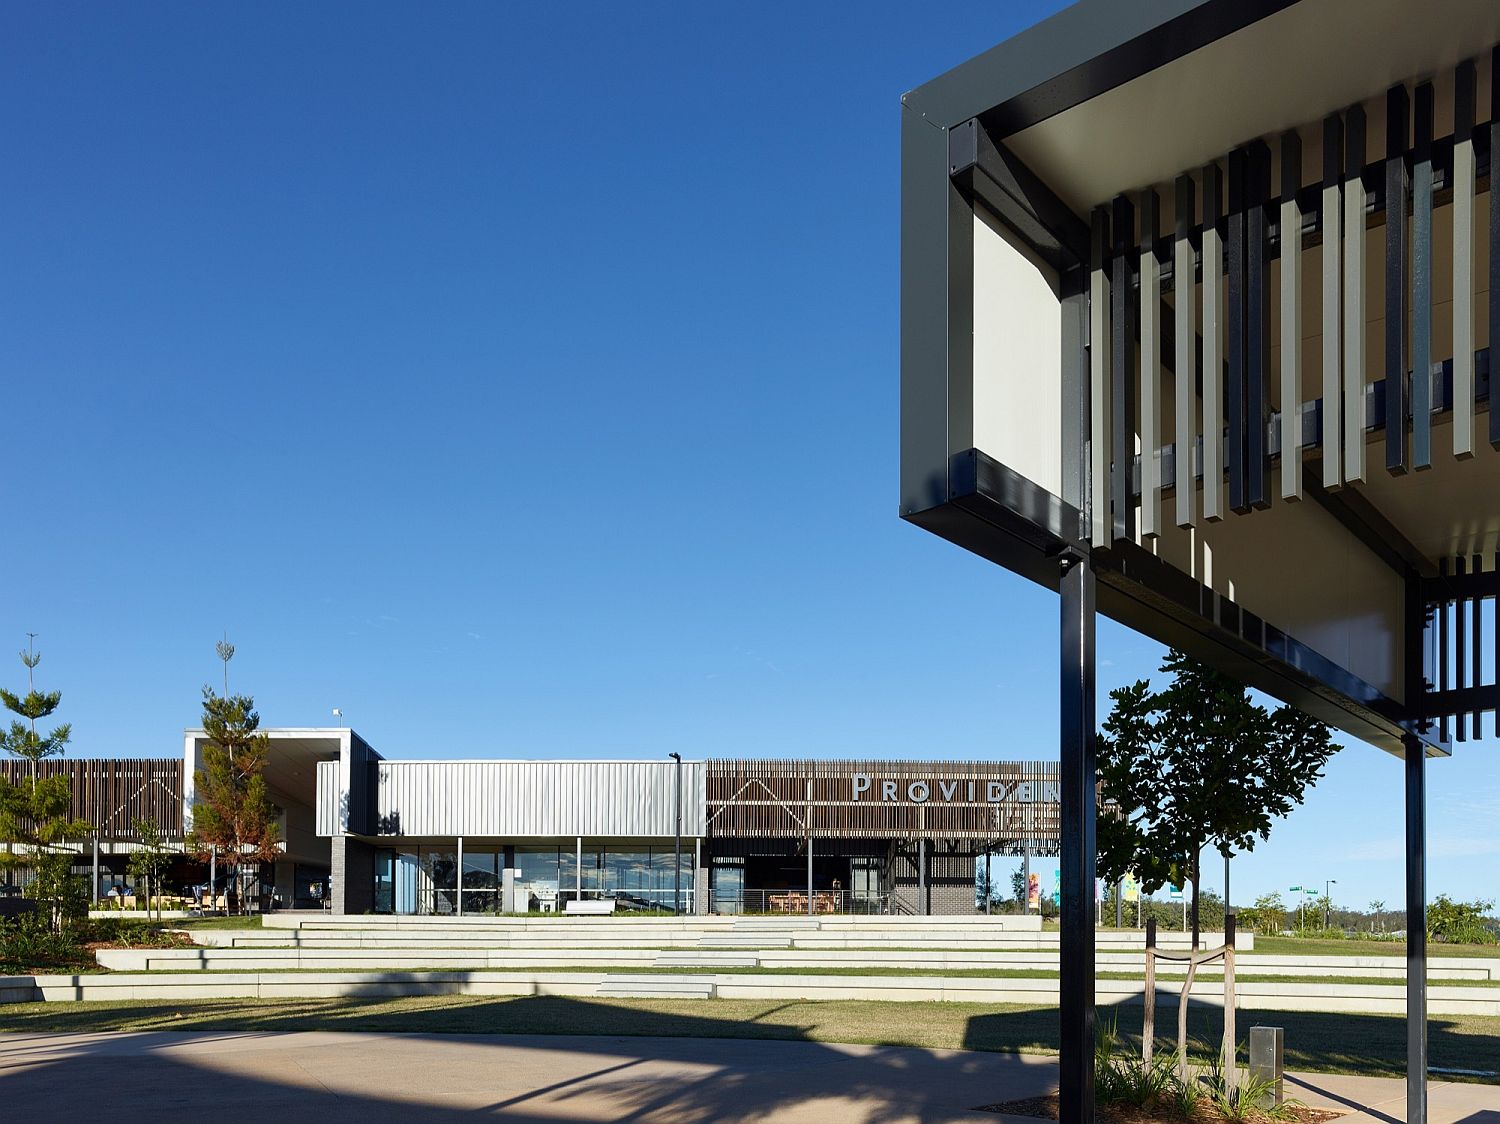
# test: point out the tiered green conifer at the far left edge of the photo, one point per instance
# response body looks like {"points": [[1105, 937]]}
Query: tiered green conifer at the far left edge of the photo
{"points": [[37, 814]]}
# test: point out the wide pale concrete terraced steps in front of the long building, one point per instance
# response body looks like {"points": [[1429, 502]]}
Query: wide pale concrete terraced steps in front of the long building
{"points": [[751, 958]]}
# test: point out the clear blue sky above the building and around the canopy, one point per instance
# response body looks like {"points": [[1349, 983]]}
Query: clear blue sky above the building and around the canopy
{"points": [[524, 382]]}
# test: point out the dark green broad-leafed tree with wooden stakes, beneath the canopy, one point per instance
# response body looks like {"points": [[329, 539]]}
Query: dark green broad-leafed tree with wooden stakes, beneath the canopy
{"points": [[1198, 765]]}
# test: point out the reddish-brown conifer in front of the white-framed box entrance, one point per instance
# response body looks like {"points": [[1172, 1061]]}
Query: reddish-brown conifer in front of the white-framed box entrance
{"points": [[233, 813]]}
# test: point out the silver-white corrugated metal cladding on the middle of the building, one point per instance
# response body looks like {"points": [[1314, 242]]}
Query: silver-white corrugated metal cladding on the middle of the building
{"points": [[514, 799]]}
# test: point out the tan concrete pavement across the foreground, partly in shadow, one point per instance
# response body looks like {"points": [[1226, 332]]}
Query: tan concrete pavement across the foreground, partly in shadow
{"points": [[337, 1078]]}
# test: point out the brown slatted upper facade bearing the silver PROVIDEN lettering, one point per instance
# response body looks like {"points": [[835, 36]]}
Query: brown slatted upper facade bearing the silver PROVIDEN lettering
{"points": [[1010, 801]]}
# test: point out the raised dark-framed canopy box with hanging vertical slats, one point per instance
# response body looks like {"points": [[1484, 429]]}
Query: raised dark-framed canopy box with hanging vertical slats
{"points": [[1204, 292]]}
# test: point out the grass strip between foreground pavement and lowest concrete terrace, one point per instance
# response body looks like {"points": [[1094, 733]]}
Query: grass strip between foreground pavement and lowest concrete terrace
{"points": [[1337, 1044]]}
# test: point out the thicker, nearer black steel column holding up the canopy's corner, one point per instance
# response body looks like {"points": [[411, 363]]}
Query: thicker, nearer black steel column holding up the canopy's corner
{"points": [[1078, 843]]}
